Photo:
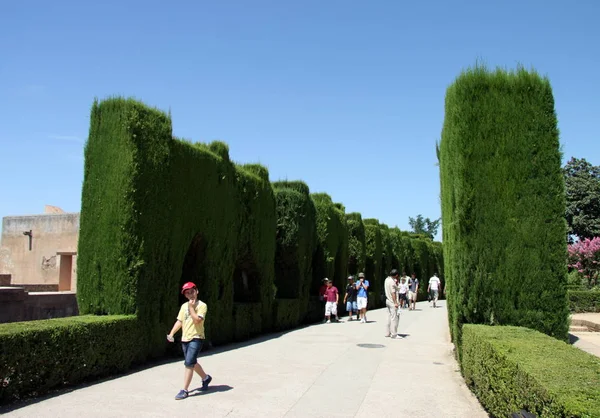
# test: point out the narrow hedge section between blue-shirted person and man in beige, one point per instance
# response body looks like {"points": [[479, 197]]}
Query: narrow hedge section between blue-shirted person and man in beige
{"points": [[373, 267]]}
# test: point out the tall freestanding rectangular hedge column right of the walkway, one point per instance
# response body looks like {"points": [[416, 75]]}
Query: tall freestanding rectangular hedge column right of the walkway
{"points": [[503, 202]]}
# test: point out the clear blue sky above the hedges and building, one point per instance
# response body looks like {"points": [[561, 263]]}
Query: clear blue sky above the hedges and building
{"points": [[346, 96]]}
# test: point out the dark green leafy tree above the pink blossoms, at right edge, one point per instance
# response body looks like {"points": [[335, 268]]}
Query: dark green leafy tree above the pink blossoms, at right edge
{"points": [[582, 183]]}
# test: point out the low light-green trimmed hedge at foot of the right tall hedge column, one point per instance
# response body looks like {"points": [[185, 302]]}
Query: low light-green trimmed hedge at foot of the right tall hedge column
{"points": [[513, 368]]}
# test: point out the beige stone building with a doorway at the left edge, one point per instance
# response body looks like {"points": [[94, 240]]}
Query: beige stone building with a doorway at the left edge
{"points": [[40, 250]]}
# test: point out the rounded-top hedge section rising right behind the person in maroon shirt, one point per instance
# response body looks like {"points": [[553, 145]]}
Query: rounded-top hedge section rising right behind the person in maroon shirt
{"points": [[331, 256]]}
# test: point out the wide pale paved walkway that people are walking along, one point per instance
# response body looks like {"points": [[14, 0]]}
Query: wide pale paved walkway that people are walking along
{"points": [[316, 371]]}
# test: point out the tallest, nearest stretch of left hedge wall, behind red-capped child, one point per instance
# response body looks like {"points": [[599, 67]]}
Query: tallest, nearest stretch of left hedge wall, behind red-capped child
{"points": [[146, 226]]}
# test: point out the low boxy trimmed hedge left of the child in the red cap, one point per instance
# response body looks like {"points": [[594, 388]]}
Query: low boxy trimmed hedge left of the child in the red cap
{"points": [[41, 355]]}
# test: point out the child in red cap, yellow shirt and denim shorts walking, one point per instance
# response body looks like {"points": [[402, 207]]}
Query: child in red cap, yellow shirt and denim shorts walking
{"points": [[191, 320]]}
